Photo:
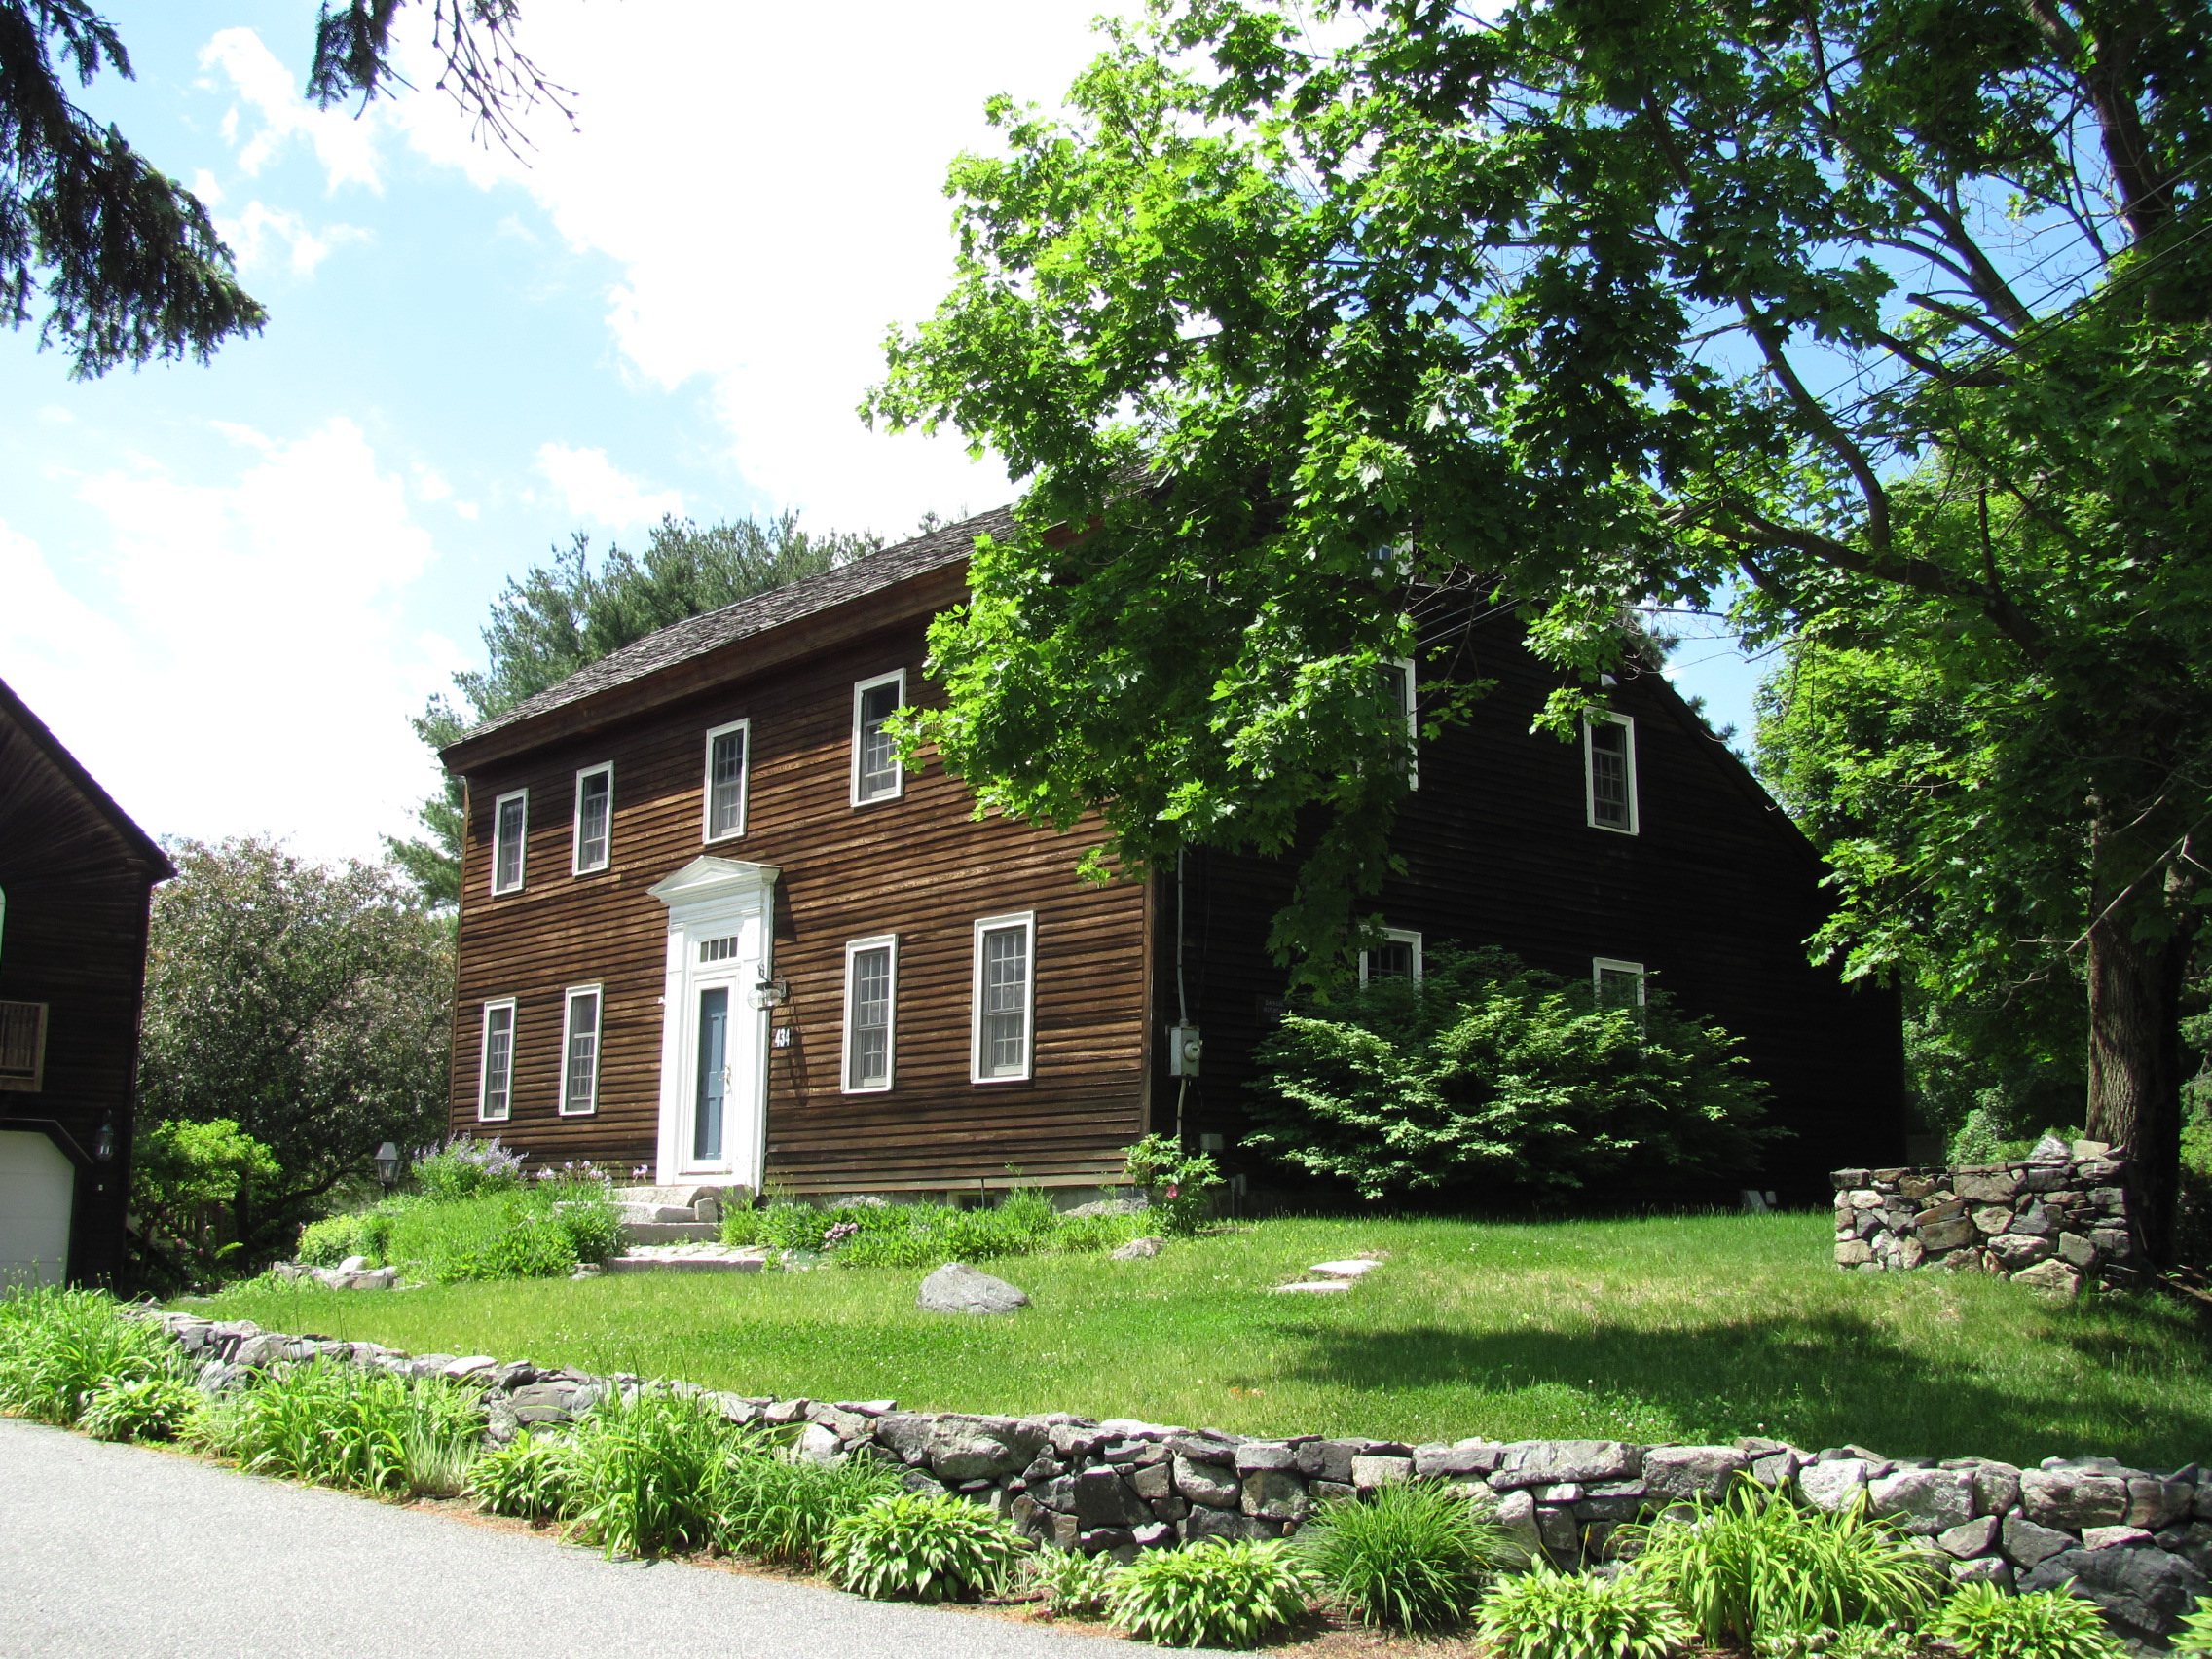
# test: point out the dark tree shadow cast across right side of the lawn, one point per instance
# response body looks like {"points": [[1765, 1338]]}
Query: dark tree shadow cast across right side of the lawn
{"points": [[1819, 1381]]}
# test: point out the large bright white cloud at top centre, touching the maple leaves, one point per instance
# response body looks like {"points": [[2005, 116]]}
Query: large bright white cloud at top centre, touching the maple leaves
{"points": [[775, 225]]}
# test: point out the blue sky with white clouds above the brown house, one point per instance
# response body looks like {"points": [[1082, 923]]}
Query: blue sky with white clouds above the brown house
{"points": [[229, 587]]}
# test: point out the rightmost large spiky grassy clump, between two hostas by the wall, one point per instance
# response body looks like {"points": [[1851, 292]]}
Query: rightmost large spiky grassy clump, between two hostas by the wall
{"points": [[1762, 1565]]}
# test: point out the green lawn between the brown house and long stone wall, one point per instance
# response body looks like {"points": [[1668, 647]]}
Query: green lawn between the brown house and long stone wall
{"points": [[1642, 1331]]}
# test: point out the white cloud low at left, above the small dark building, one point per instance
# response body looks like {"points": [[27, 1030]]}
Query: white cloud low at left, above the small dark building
{"points": [[236, 658]]}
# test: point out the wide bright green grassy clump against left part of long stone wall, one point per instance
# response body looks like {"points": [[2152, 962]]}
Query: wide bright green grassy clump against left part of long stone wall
{"points": [[353, 1428]]}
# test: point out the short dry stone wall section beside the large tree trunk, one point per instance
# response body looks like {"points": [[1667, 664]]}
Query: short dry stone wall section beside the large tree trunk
{"points": [[2058, 1222]]}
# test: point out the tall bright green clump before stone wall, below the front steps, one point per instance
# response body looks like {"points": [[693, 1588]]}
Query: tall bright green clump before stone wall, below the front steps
{"points": [[647, 1472]]}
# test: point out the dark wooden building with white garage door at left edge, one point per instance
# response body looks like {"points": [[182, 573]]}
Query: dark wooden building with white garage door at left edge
{"points": [[76, 879]]}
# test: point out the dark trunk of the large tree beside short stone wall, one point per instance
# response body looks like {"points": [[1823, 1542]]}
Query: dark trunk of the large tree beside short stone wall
{"points": [[2136, 1063]]}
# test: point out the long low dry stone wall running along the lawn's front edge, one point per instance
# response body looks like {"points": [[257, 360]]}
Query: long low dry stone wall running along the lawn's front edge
{"points": [[2136, 1541]]}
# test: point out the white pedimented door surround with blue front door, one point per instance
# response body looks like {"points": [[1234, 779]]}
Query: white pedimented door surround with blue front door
{"points": [[720, 950]]}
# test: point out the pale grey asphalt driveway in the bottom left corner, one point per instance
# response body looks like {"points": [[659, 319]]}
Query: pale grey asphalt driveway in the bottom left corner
{"points": [[134, 1554]]}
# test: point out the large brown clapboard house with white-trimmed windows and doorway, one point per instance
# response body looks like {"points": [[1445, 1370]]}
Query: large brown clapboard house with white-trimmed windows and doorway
{"points": [[716, 930]]}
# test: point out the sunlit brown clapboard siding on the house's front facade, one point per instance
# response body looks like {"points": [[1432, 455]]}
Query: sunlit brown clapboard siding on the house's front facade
{"points": [[917, 868]]}
